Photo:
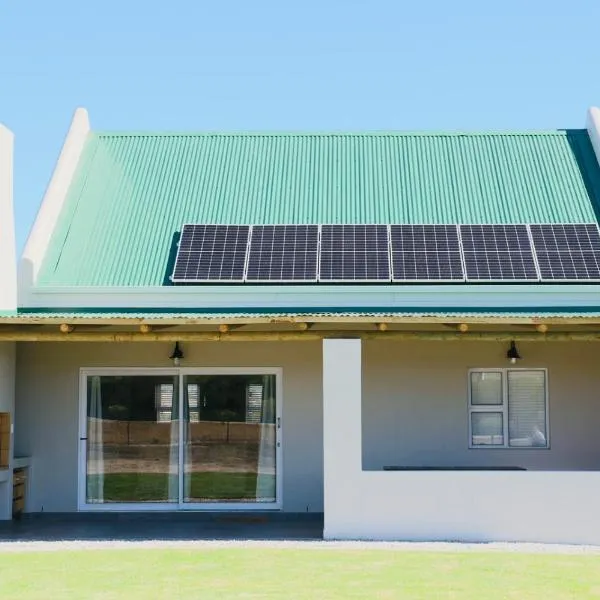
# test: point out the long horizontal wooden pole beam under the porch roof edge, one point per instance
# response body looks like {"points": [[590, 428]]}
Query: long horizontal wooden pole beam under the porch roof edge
{"points": [[280, 336]]}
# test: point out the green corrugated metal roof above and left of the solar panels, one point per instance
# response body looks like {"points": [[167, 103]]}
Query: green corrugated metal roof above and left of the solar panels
{"points": [[133, 191]]}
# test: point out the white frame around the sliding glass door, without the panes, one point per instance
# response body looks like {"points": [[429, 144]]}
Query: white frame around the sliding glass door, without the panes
{"points": [[83, 505]]}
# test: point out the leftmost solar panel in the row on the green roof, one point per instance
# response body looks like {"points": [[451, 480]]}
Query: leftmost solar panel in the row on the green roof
{"points": [[211, 253]]}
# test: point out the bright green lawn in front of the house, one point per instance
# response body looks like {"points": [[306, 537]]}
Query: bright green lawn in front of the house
{"points": [[289, 574]]}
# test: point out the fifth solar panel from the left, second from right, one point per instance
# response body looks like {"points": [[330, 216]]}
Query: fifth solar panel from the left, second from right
{"points": [[498, 253]]}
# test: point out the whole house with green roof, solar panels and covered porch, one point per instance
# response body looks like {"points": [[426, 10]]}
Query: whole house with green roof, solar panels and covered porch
{"points": [[412, 353]]}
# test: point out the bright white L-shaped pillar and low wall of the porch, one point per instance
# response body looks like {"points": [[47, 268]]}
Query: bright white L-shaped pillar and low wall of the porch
{"points": [[526, 506]]}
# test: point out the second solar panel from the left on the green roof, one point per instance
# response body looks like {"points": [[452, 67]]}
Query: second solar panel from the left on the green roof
{"points": [[283, 253]]}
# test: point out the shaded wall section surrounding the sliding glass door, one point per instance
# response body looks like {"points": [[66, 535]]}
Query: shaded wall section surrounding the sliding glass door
{"points": [[47, 410]]}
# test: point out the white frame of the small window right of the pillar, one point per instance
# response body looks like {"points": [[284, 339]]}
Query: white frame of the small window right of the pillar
{"points": [[503, 408]]}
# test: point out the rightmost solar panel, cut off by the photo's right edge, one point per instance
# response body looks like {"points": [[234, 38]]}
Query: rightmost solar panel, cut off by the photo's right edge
{"points": [[567, 252]]}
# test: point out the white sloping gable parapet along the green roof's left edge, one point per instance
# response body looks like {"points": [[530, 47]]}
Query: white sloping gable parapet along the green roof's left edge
{"points": [[54, 198]]}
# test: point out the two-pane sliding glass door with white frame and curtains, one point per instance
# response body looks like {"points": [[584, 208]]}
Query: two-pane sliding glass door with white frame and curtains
{"points": [[143, 448]]}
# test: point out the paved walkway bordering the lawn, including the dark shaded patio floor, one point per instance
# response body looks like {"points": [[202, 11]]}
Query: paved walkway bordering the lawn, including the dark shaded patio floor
{"points": [[210, 531]]}
